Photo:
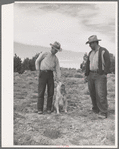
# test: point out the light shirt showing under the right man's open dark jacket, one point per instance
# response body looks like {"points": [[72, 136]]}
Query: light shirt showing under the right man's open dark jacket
{"points": [[94, 60]]}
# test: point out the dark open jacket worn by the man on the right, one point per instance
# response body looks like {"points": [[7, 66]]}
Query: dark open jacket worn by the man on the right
{"points": [[106, 57]]}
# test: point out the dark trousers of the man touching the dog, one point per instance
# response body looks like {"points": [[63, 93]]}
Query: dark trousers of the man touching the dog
{"points": [[45, 78]]}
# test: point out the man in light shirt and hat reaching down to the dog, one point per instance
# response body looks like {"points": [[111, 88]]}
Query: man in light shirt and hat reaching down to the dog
{"points": [[46, 64]]}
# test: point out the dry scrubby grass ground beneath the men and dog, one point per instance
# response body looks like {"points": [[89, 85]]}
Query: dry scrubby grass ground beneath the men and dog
{"points": [[78, 127]]}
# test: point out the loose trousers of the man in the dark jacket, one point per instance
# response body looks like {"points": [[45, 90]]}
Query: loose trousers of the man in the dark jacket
{"points": [[97, 85]]}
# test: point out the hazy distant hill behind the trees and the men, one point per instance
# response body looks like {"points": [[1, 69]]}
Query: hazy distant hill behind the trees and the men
{"points": [[67, 58]]}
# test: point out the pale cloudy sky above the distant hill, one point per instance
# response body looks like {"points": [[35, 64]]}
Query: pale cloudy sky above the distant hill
{"points": [[69, 23]]}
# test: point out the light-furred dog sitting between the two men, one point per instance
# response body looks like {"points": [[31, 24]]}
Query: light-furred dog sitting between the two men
{"points": [[60, 100]]}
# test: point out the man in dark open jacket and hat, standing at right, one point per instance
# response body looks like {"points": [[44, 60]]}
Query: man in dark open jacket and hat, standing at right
{"points": [[97, 68]]}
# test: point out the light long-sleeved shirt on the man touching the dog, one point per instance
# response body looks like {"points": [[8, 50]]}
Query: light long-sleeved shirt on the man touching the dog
{"points": [[48, 61]]}
